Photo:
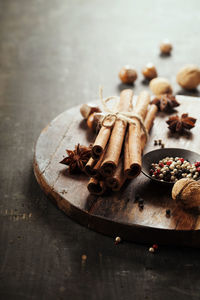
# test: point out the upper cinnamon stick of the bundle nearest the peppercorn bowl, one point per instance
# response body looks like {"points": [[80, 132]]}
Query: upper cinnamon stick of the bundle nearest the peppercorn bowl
{"points": [[134, 137]]}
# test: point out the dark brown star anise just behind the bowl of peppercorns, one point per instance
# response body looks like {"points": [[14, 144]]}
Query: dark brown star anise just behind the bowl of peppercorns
{"points": [[179, 124]]}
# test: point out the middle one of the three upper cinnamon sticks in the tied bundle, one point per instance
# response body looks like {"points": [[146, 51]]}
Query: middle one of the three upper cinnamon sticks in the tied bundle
{"points": [[113, 152]]}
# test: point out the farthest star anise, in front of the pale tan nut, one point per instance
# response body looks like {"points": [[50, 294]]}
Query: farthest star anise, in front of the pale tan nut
{"points": [[165, 102]]}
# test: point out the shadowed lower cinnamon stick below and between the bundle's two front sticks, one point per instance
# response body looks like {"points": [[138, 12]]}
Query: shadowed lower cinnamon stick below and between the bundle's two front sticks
{"points": [[117, 180]]}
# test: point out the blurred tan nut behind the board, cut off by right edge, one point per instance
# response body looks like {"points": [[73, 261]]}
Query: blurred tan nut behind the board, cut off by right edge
{"points": [[189, 77]]}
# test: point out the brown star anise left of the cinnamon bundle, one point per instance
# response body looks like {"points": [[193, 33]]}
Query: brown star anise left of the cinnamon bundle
{"points": [[77, 158]]}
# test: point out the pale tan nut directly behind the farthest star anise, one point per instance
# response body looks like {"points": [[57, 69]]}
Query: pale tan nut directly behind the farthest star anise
{"points": [[160, 86]]}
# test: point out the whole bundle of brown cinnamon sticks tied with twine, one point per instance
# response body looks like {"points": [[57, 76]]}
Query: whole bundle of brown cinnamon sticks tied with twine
{"points": [[117, 150]]}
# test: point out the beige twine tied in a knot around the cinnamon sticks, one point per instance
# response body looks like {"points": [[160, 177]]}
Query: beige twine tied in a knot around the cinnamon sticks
{"points": [[113, 114]]}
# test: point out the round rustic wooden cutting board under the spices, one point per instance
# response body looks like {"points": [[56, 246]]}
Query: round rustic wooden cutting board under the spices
{"points": [[118, 214]]}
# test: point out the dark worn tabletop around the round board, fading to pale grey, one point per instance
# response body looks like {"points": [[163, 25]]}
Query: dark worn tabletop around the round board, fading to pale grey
{"points": [[55, 54]]}
